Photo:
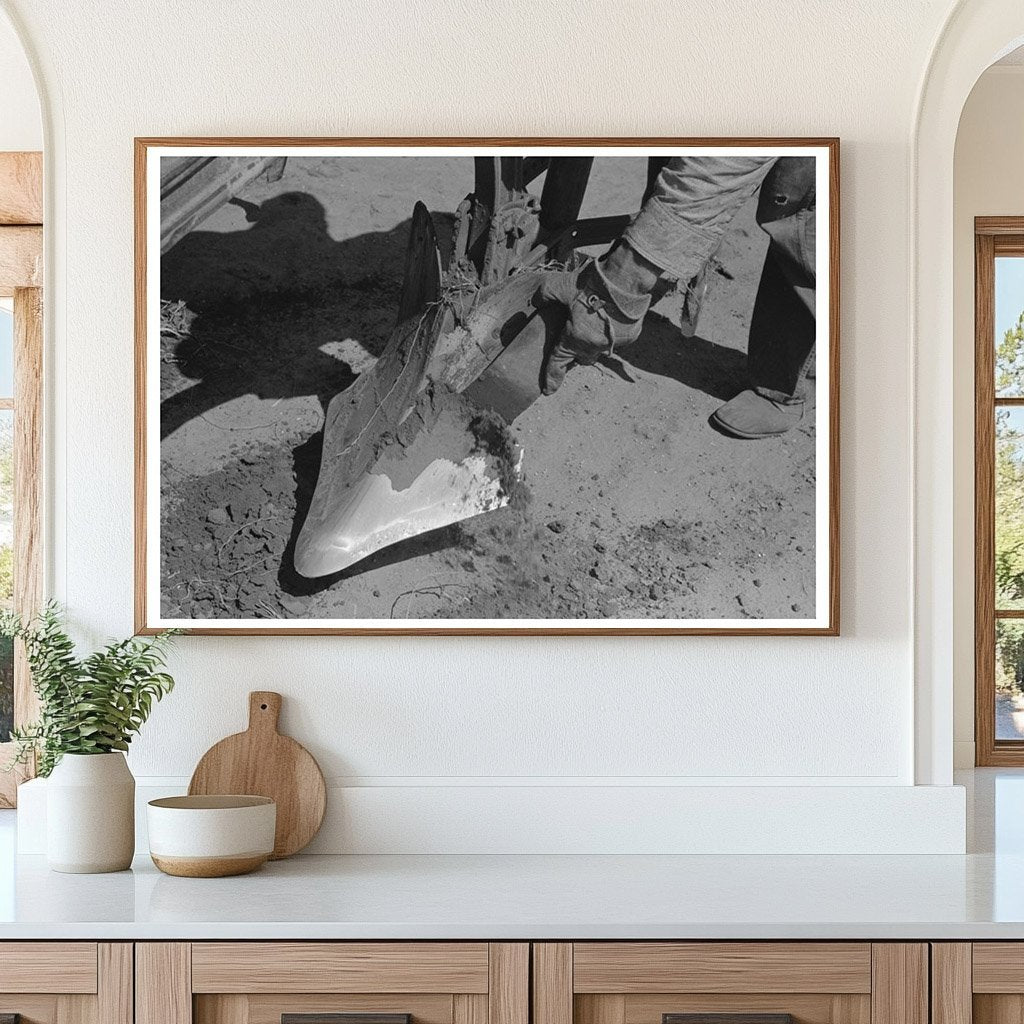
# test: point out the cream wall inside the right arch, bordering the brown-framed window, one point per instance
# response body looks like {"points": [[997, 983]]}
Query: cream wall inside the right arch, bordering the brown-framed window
{"points": [[988, 182]]}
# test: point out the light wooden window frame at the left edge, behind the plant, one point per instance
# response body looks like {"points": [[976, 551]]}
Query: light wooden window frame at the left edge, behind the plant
{"points": [[21, 279]]}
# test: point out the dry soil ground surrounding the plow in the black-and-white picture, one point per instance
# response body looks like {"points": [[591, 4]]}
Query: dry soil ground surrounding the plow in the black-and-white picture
{"points": [[637, 508]]}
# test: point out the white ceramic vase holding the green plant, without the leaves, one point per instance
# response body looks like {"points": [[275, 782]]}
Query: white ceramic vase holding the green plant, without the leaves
{"points": [[91, 815]]}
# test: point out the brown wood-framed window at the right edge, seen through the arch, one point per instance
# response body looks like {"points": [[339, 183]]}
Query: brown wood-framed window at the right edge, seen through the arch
{"points": [[1000, 491]]}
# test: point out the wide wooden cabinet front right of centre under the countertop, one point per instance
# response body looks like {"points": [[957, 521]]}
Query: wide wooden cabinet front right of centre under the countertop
{"points": [[731, 984]]}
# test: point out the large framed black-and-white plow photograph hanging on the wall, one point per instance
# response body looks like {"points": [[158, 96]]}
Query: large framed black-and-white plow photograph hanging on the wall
{"points": [[482, 386]]}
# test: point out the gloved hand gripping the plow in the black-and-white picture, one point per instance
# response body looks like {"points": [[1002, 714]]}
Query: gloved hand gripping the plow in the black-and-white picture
{"points": [[607, 302]]}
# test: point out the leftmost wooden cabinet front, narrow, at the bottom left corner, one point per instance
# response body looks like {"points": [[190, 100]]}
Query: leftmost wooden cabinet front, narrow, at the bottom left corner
{"points": [[66, 984]]}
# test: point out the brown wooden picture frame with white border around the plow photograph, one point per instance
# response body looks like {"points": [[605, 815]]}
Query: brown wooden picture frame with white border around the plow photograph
{"points": [[156, 228]]}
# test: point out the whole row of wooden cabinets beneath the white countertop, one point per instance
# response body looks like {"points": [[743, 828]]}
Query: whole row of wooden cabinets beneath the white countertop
{"points": [[513, 984]]}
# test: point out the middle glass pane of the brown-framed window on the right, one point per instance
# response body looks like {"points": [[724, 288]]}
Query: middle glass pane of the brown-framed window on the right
{"points": [[1010, 508]]}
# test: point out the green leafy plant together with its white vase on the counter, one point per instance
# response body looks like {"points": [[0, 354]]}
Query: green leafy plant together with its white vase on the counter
{"points": [[91, 708]]}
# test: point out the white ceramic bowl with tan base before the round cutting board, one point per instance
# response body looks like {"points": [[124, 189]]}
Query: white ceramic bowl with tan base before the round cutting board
{"points": [[211, 837]]}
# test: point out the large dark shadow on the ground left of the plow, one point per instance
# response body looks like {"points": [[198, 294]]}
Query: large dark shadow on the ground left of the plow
{"points": [[267, 300]]}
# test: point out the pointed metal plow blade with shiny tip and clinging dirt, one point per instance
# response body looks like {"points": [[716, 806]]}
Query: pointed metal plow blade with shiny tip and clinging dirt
{"points": [[404, 454]]}
